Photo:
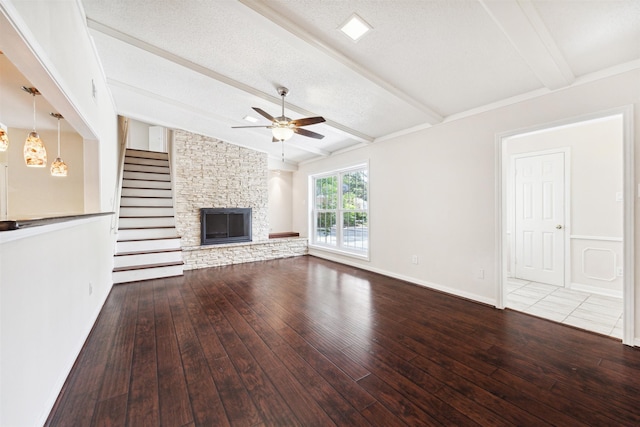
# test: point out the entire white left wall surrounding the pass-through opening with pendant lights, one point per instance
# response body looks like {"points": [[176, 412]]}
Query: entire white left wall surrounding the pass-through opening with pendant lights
{"points": [[45, 316]]}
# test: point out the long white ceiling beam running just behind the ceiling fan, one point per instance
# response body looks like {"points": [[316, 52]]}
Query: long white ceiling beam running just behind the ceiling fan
{"points": [[176, 59]]}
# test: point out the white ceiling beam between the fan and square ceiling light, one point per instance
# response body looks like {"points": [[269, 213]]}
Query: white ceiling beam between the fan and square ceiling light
{"points": [[431, 116]]}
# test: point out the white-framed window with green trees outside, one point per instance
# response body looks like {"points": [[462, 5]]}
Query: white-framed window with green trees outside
{"points": [[341, 210]]}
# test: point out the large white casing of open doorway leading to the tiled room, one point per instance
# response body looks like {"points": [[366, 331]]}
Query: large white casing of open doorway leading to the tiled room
{"points": [[501, 242]]}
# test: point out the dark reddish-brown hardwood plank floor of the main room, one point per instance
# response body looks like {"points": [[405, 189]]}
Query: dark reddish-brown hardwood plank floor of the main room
{"points": [[302, 341]]}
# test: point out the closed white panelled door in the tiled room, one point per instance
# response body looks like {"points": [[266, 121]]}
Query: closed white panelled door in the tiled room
{"points": [[540, 218]]}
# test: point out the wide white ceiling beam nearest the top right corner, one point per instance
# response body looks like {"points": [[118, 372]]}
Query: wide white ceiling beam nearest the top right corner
{"points": [[522, 25]]}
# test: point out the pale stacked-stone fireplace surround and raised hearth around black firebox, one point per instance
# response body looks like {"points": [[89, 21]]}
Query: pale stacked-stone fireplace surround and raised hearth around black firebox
{"points": [[213, 174]]}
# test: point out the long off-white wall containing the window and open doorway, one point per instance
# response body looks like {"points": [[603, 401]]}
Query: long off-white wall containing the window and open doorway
{"points": [[433, 192]]}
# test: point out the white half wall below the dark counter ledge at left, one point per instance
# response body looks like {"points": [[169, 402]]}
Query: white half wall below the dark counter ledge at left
{"points": [[52, 287]]}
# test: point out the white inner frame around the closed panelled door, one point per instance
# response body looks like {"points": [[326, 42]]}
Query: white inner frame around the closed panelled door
{"points": [[511, 194]]}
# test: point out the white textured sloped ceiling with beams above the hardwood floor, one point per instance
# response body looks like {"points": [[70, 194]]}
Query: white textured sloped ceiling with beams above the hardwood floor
{"points": [[201, 65]]}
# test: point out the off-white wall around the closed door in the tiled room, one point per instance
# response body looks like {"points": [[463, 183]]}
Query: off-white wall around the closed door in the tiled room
{"points": [[595, 224]]}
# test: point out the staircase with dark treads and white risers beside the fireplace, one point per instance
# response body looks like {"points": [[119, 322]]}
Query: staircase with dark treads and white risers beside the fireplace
{"points": [[148, 245]]}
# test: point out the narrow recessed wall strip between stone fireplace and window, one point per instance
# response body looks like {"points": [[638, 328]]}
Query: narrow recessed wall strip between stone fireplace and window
{"points": [[280, 200]]}
